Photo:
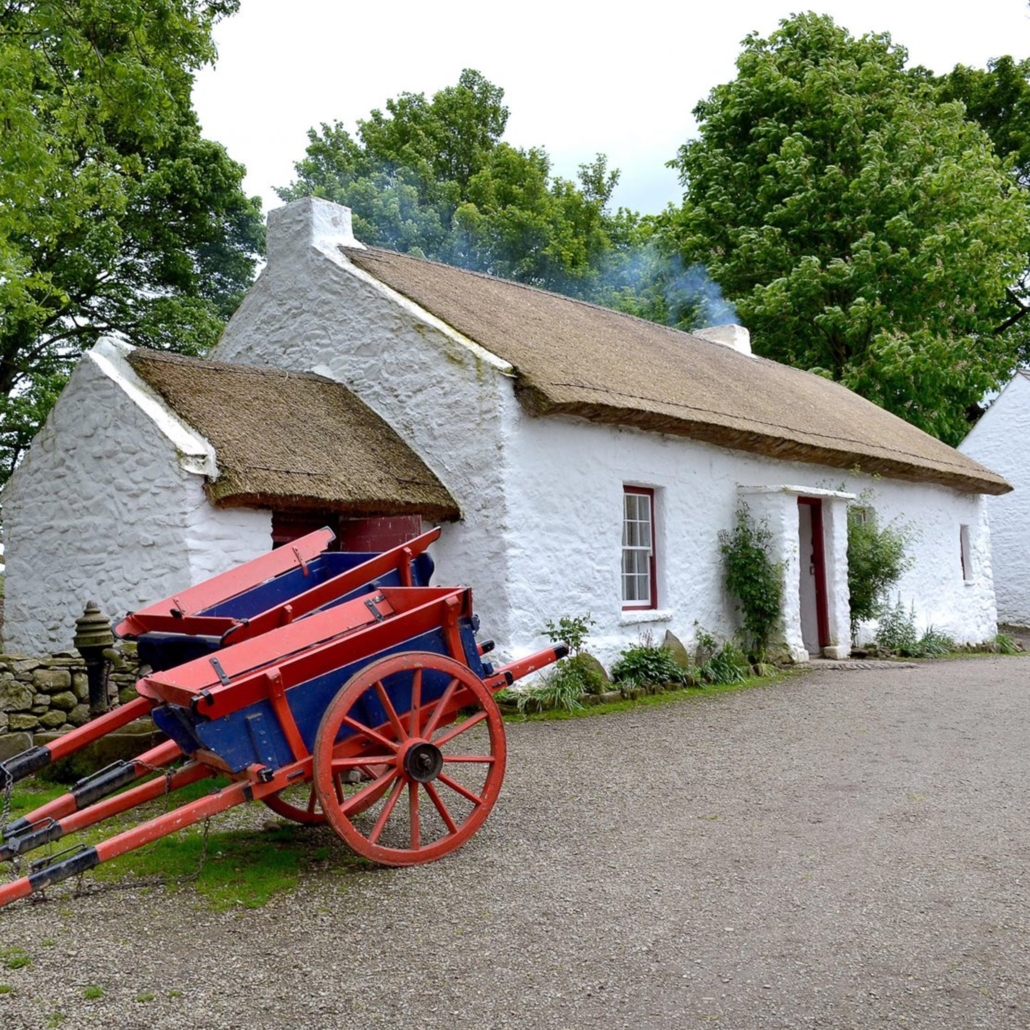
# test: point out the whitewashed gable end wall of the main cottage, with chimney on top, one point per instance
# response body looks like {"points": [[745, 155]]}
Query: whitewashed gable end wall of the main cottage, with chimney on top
{"points": [[449, 399]]}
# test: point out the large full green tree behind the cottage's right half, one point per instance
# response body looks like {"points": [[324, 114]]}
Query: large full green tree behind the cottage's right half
{"points": [[865, 229]]}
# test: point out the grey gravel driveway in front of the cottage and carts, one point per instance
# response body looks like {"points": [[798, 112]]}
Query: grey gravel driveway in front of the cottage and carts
{"points": [[842, 849]]}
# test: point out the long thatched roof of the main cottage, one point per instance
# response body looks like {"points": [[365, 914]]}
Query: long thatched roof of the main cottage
{"points": [[577, 359]]}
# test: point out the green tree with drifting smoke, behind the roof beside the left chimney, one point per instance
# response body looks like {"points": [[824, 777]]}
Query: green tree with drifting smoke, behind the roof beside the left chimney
{"points": [[433, 178]]}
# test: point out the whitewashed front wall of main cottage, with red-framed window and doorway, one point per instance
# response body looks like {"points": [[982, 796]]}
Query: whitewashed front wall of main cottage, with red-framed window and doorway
{"points": [[575, 504]]}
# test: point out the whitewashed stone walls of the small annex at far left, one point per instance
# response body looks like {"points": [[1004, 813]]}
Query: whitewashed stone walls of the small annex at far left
{"points": [[115, 486]]}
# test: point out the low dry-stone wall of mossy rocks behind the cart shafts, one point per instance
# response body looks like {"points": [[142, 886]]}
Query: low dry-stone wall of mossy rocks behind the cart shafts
{"points": [[51, 696]]}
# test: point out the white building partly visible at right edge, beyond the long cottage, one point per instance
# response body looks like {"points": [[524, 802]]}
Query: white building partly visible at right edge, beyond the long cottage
{"points": [[1000, 440]]}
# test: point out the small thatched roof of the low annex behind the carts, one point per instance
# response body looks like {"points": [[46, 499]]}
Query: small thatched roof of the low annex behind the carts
{"points": [[295, 441]]}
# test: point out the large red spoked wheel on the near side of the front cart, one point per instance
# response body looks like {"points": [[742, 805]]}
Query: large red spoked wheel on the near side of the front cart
{"points": [[445, 758]]}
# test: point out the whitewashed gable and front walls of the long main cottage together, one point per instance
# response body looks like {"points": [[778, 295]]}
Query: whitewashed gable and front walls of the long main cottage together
{"points": [[542, 499]]}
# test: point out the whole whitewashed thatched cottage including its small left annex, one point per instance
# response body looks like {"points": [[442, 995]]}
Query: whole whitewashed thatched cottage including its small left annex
{"points": [[590, 459]]}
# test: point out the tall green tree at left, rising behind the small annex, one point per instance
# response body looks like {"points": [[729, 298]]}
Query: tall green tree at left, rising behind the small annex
{"points": [[116, 215]]}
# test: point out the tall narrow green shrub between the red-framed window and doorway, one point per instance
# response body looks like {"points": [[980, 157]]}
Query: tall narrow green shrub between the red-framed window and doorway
{"points": [[753, 578]]}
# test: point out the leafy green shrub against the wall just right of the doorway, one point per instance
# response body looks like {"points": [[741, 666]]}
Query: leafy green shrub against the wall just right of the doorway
{"points": [[877, 561]]}
